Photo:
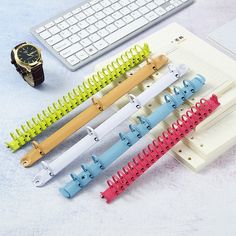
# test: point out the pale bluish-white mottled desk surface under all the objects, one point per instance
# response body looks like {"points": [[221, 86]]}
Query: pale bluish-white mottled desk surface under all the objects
{"points": [[168, 200]]}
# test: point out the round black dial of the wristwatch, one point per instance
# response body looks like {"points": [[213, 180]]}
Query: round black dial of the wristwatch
{"points": [[28, 54]]}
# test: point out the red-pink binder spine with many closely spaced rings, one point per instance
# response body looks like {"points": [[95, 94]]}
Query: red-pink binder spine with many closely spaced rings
{"points": [[161, 145]]}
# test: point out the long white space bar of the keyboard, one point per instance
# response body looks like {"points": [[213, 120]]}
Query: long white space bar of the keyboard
{"points": [[126, 30]]}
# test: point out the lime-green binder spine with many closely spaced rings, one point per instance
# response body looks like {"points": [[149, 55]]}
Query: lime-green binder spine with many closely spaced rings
{"points": [[78, 95]]}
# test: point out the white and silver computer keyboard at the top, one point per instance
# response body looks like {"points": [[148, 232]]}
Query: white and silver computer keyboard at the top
{"points": [[94, 27]]}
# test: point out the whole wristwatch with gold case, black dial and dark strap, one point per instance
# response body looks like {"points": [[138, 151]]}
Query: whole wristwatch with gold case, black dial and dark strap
{"points": [[28, 61]]}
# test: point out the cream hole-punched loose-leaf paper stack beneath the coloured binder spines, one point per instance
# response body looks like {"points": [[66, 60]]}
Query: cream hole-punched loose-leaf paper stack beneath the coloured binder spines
{"points": [[217, 133]]}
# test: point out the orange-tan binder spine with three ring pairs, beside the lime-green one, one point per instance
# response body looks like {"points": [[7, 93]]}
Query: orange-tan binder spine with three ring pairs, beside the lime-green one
{"points": [[93, 110]]}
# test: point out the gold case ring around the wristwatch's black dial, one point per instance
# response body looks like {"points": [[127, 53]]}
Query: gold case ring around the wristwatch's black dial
{"points": [[27, 66]]}
